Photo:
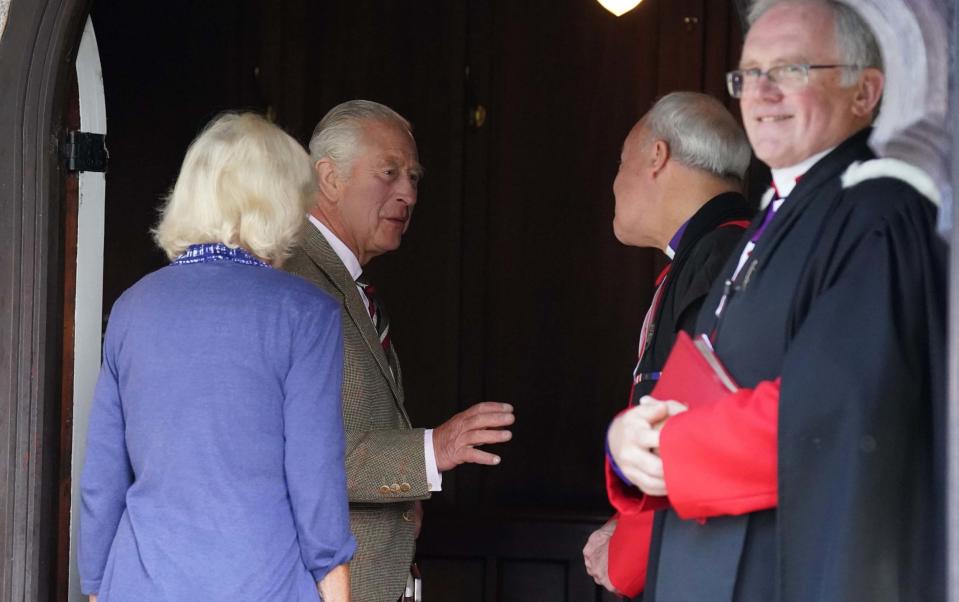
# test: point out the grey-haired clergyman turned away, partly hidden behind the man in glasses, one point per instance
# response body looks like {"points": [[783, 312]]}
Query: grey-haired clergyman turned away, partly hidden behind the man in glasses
{"points": [[678, 190]]}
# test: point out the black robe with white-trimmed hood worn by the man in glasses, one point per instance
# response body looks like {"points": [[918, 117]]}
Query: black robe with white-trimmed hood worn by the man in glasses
{"points": [[843, 299]]}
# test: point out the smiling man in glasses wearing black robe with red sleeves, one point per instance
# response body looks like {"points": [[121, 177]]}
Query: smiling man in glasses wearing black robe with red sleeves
{"points": [[821, 478]]}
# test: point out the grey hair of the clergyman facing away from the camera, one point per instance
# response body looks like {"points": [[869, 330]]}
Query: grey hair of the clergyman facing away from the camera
{"points": [[701, 133]]}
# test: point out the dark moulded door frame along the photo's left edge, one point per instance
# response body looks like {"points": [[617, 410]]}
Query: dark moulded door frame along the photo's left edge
{"points": [[37, 52]]}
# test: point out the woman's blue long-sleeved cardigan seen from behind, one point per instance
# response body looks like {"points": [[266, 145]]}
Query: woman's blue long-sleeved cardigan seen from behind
{"points": [[214, 463]]}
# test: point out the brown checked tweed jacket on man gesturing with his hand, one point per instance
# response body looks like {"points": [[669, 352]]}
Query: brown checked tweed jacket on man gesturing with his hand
{"points": [[385, 467]]}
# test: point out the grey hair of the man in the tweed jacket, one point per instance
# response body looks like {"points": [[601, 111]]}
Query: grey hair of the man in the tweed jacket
{"points": [[338, 135]]}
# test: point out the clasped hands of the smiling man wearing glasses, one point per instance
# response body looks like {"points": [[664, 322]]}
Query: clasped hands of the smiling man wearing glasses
{"points": [[634, 443]]}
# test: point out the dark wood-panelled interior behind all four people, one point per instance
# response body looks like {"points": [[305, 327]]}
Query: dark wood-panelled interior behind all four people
{"points": [[510, 284]]}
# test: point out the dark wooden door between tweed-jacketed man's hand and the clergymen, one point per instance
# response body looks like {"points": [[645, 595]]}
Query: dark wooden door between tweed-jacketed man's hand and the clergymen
{"points": [[552, 303]]}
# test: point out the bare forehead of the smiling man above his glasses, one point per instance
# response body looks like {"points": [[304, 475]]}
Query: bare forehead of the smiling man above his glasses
{"points": [[791, 33]]}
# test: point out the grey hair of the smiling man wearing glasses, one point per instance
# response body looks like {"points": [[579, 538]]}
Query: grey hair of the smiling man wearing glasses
{"points": [[855, 40]]}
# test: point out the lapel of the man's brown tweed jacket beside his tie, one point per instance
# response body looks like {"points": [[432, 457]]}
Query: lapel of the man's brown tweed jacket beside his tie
{"points": [[325, 258]]}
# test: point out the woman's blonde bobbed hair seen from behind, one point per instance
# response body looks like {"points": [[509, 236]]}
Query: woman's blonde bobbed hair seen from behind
{"points": [[244, 183]]}
